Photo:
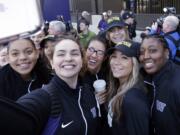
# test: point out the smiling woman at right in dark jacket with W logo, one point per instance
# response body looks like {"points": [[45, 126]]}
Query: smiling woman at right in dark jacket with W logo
{"points": [[162, 77]]}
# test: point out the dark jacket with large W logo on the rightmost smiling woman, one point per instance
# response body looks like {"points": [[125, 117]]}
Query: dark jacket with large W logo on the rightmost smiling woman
{"points": [[166, 100]]}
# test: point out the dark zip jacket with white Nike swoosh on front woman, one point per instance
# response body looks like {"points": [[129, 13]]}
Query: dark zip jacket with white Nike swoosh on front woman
{"points": [[79, 113]]}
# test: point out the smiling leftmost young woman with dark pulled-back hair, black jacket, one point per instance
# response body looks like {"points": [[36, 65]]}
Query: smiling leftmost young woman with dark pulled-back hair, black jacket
{"points": [[25, 71]]}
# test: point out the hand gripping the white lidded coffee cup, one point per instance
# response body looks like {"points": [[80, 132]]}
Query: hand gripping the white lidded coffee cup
{"points": [[101, 97]]}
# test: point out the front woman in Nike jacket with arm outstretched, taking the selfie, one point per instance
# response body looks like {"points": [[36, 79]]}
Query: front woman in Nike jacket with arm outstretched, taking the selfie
{"points": [[69, 107]]}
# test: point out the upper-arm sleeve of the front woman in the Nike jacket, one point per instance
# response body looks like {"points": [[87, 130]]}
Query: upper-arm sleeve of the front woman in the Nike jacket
{"points": [[39, 104]]}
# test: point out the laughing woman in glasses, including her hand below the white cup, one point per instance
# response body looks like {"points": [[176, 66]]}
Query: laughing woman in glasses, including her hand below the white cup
{"points": [[97, 68]]}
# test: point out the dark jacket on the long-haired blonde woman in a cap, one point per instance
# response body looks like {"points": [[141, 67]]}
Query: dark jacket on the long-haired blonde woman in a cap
{"points": [[135, 118]]}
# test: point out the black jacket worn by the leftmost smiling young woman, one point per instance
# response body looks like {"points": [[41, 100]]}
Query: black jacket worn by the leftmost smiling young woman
{"points": [[12, 85]]}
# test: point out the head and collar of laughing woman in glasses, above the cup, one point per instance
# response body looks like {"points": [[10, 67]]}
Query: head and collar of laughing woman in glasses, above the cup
{"points": [[96, 62]]}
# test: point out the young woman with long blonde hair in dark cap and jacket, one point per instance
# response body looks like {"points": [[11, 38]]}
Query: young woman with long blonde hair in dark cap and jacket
{"points": [[128, 110]]}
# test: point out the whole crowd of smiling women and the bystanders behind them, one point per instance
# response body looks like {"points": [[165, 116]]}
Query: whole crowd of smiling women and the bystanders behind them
{"points": [[47, 79]]}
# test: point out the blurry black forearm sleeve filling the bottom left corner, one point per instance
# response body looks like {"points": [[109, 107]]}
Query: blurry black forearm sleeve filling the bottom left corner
{"points": [[15, 119]]}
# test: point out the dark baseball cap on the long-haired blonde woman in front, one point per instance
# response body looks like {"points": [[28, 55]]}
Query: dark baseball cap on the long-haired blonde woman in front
{"points": [[127, 47]]}
